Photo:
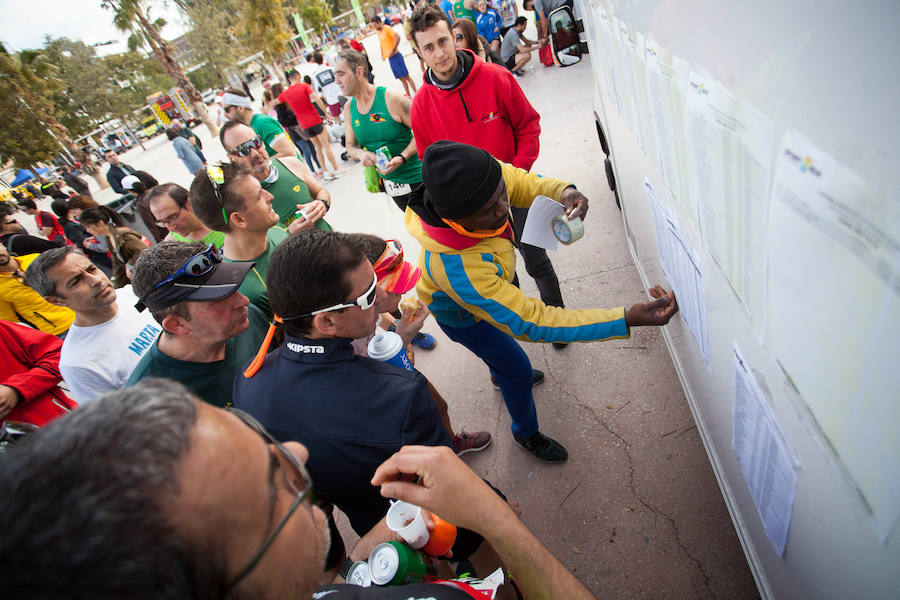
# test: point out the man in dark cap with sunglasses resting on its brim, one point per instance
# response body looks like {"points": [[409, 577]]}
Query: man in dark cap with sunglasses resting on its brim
{"points": [[209, 328]]}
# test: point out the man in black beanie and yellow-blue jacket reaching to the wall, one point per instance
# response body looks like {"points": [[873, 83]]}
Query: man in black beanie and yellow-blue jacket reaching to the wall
{"points": [[468, 264]]}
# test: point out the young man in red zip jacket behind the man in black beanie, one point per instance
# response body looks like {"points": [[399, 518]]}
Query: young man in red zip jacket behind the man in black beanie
{"points": [[463, 99]]}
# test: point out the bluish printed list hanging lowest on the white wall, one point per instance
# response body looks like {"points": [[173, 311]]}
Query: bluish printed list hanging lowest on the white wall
{"points": [[766, 458]]}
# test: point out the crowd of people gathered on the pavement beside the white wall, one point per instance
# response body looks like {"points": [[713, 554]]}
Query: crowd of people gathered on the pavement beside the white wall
{"points": [[216, 378]]}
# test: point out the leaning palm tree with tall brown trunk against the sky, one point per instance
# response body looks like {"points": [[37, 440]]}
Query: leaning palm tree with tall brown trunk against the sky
{"points": [[130, 16]]}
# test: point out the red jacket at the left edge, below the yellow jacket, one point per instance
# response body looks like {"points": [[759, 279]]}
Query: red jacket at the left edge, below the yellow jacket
{"points": [[35, 350]]}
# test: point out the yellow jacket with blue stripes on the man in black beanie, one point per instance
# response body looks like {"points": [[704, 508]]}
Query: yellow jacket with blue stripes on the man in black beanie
{"points": [[464, 286]]}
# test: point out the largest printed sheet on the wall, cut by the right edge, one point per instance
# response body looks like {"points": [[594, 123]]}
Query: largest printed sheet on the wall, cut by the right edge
{"points": [[834, 312]]}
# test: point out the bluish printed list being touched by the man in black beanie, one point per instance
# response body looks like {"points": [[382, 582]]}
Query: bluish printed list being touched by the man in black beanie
{"points": [[681, 266]]}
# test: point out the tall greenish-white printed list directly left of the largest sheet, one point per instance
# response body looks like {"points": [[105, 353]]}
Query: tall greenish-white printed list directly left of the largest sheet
{"points": [[730, 159]]}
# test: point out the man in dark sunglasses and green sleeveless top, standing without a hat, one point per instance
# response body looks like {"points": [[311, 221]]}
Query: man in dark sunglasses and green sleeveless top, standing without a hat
{"points": [[291, 184]]}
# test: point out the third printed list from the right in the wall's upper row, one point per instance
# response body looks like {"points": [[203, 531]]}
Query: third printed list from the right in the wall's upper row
{"points": [[667, 79]]}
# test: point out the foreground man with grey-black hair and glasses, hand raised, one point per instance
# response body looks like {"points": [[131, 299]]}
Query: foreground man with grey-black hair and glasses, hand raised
{"points": [[178, 499]]}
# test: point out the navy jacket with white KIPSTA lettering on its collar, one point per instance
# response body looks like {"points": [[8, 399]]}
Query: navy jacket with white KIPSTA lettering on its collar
{"points": [[351, 412]]}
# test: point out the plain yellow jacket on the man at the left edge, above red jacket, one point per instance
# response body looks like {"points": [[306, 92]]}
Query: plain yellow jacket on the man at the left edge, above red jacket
{"points": [[18, 302]]}
